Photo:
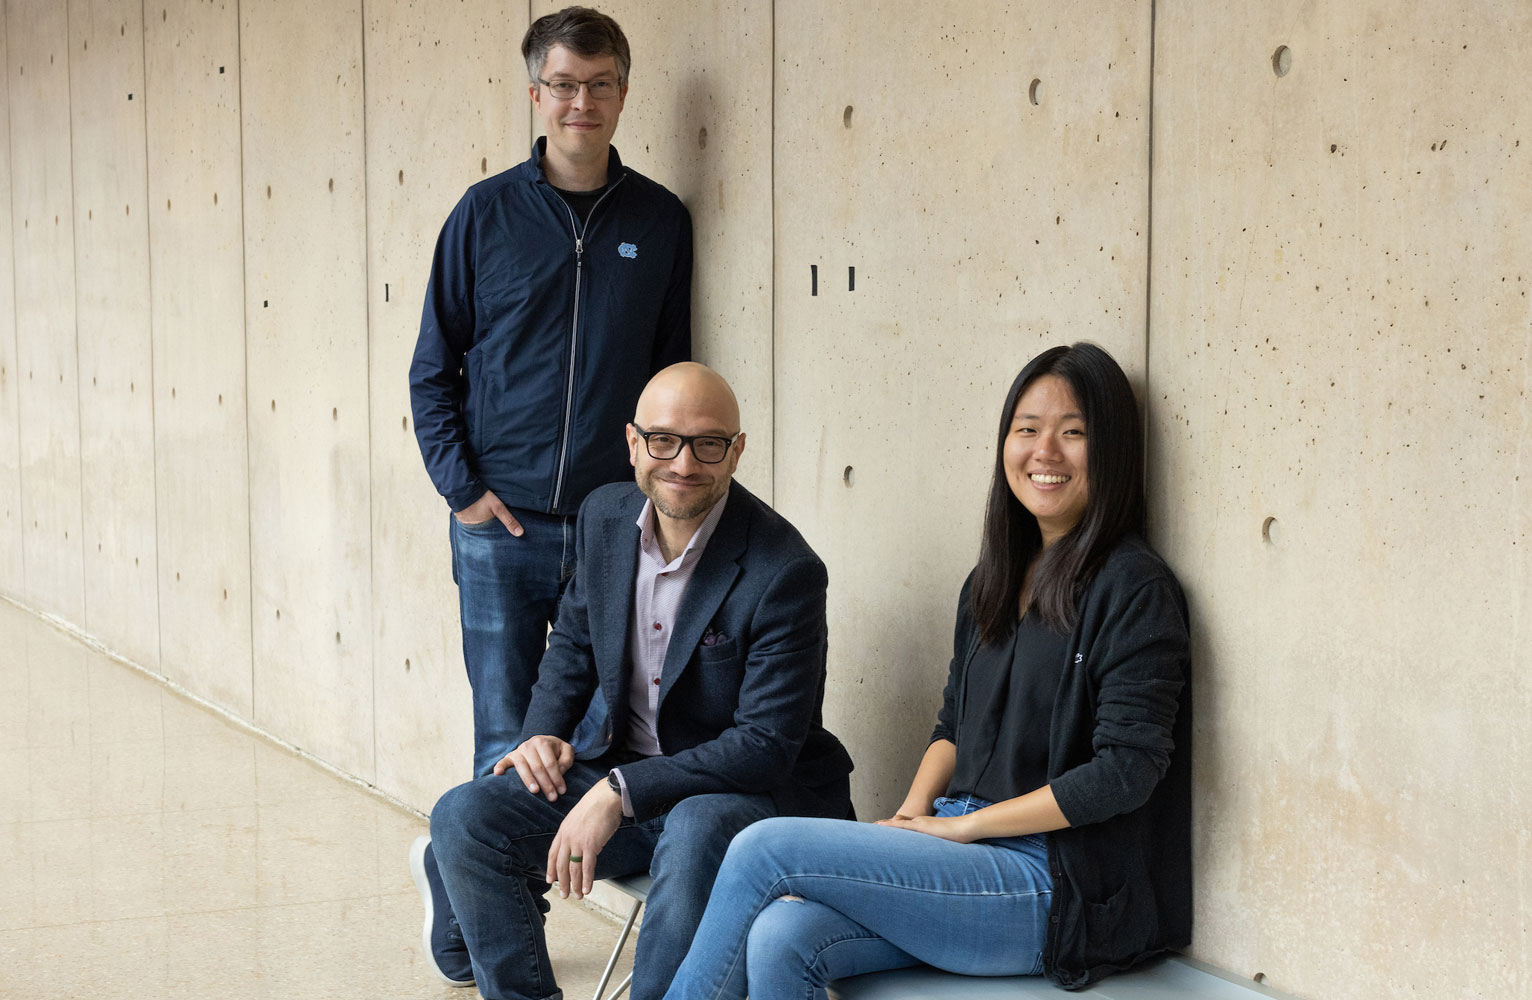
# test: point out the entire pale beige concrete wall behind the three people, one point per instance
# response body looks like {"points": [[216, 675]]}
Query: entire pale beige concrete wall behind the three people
{"points": [[214, 241]]}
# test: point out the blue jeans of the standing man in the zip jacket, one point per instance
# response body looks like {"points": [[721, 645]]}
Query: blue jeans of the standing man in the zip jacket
{"points": [[509, 595]]}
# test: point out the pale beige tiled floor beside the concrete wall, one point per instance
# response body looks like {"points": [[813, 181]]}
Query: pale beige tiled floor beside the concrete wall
{"points": [[149, 849]]}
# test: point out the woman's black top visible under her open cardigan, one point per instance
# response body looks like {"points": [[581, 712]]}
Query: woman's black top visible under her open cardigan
{"points": [[1007, 702]]}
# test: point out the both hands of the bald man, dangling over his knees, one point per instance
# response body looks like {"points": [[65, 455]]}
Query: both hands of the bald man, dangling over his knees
{"points": [[542, 763]]}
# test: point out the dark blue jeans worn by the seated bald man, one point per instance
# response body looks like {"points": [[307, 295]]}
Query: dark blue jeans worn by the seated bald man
{"points": [[491, 838]]}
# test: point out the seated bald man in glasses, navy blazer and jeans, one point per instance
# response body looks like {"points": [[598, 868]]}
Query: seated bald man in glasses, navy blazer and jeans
{"points": [[698, 615]]}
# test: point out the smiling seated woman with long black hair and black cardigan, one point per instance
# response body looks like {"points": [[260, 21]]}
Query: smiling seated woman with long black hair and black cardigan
{"points": [[1049, 826]]}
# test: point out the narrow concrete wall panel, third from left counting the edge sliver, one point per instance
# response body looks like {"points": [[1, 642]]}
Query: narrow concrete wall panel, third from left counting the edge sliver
{"points": [[117, 433]]}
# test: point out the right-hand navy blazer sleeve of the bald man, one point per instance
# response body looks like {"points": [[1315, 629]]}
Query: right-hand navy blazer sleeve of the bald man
{"points": [[779, 699]]}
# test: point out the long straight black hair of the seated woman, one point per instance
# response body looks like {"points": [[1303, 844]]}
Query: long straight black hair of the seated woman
{"points": [[1115, 498]]}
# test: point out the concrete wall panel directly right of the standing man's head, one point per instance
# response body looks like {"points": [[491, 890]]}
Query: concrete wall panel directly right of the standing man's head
{"points": [[698, 120]]}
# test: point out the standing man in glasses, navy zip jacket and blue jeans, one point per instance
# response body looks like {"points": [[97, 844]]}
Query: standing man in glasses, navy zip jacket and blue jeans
{"points": [[557, 290]]}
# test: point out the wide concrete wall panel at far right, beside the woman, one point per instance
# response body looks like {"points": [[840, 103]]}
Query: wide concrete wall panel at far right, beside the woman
{"points": [[1343, 370]]}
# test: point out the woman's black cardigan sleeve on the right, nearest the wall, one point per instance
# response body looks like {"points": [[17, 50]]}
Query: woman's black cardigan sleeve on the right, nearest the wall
{"points": [[1136, 652]]}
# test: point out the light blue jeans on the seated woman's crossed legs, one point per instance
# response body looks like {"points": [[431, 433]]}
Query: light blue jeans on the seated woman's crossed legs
{"points": [[868, 898]]}
